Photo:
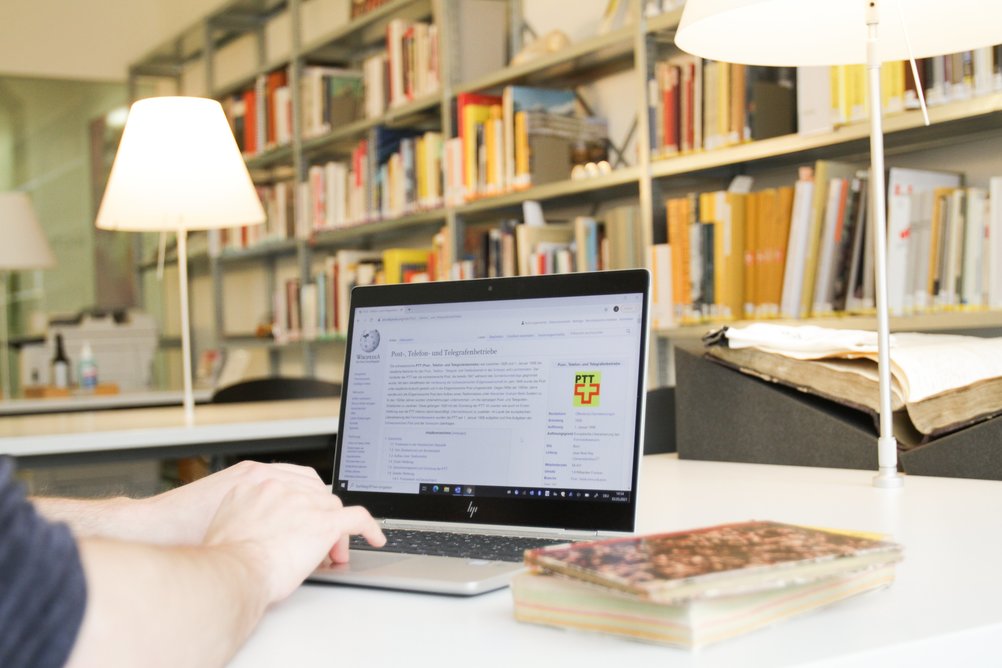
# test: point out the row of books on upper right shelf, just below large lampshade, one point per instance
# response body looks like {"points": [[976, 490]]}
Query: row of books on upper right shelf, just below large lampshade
{"points": [[698, 105]]}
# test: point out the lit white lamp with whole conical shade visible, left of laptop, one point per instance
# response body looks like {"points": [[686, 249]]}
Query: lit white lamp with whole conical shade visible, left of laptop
{"points": [[179, 169]]}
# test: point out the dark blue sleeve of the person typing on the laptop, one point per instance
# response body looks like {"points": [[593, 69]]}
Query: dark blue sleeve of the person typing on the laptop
{"points": [[43, 587]]}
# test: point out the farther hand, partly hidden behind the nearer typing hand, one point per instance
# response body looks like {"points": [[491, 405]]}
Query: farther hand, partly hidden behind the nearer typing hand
{"points": [[182, 516]]}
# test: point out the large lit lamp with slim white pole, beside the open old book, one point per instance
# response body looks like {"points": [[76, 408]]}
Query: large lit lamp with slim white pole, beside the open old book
{"points": [[841, 33]]}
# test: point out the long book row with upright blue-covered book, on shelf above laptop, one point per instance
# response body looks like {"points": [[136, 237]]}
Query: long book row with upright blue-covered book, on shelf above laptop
{"points": [[394, 173]]}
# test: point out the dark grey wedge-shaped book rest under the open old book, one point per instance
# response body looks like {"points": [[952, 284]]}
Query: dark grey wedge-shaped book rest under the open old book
{"points": [[726, 416]]}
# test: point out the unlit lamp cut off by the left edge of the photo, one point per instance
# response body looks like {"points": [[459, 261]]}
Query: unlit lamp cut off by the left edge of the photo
{"points": [[24, 248]]}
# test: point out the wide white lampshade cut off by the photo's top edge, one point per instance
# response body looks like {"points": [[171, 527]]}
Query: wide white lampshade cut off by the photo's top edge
{"points": [[833, 33]]}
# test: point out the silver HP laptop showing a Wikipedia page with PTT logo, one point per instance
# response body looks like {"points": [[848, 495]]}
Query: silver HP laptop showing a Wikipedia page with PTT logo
{"points": [[506, 412]]}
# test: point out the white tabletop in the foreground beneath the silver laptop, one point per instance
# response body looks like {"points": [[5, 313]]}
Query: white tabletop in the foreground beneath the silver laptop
{"points": [[944, 609]]}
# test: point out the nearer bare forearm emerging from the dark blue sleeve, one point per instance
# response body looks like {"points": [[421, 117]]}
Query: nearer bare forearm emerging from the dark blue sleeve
{"points": [[149, 605]]}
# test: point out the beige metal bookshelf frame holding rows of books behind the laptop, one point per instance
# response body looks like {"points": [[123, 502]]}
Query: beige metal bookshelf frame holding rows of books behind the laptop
{"points": [[294, 35]]}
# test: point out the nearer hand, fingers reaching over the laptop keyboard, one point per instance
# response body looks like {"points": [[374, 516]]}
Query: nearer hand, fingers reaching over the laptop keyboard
{"points": [[283, 530]]}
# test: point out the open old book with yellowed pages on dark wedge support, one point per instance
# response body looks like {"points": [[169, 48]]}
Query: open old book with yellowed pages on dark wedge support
{"points": [[940, 383]]}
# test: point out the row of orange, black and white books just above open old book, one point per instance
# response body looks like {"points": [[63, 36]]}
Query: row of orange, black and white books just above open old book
{"points": [[807, 250]]}
